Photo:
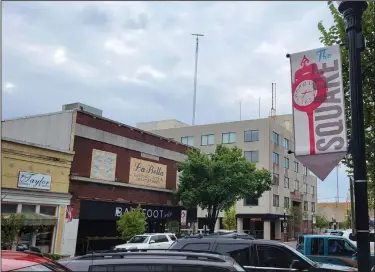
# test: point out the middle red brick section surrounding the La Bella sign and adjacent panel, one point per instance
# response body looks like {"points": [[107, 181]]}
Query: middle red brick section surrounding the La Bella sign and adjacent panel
{"points": [[81, 165]]}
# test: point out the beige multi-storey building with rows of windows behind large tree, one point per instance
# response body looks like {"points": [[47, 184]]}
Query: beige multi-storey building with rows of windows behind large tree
{"points": [[265, 142]]}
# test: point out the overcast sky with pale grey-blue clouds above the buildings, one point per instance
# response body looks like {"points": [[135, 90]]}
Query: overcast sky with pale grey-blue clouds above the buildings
{"points": [[135, 60]]}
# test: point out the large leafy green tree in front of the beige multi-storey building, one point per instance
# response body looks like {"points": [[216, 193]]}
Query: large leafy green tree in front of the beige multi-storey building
{"points": [[215, 182]]}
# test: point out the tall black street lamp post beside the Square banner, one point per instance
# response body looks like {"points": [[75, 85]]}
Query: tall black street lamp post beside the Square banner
{"points": [[352, 12]]}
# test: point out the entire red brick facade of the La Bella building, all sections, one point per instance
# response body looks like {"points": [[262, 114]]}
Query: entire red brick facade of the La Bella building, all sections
{"points": [[81, 166]]}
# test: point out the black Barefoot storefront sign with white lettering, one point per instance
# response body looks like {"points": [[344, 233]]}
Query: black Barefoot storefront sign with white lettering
{"points": [[100, 210]]}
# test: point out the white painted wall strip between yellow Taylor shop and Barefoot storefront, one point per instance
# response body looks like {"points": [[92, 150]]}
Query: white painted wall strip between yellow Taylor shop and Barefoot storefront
{"points": [[69, 239]]}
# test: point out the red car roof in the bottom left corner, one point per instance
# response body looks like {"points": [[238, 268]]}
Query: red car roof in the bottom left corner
{"points": [[13, 260]]}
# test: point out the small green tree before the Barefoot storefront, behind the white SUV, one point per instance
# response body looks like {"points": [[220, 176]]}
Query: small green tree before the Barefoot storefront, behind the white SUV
{"points": [[132, 223]]}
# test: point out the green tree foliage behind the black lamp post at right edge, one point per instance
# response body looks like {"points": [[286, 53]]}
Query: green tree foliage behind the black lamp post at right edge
{"points": [[335, 34]]}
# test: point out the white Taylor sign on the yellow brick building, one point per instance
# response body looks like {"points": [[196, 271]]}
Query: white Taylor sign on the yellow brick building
{"points": [[34, 181]]}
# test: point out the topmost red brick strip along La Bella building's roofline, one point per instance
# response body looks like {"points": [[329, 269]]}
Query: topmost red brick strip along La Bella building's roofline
{"points": [[131, 133]]}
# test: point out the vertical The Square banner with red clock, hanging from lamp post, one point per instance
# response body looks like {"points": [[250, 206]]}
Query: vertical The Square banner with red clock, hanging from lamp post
{"points": [[320, 140]]}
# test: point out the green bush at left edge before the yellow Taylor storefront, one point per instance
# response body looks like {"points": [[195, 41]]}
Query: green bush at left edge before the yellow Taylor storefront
{"points": [[11, 225]]}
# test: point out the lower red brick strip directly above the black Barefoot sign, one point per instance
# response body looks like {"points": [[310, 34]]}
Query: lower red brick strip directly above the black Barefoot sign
{"points": [[94, 191]]}
